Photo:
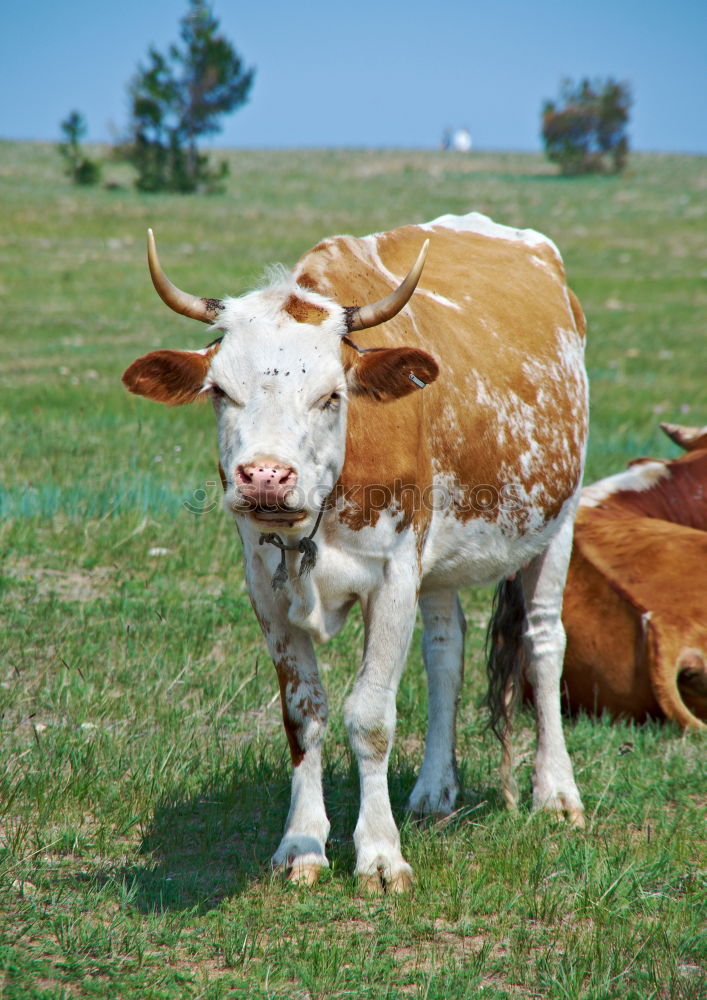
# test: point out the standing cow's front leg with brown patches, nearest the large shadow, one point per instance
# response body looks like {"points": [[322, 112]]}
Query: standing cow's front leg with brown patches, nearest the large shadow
{"points": [[301, 852]]}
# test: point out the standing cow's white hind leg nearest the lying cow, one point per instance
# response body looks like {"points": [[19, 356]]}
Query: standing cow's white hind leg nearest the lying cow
{"points": [[543, 582]]}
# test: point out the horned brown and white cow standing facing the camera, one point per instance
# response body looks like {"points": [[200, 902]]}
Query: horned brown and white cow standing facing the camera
{"points": [[453, 460]]}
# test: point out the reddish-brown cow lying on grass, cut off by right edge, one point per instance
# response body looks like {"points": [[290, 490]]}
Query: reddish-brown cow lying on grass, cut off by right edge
{"points": [[635, 605]]}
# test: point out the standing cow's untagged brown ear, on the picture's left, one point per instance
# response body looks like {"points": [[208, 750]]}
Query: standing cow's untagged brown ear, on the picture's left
{"points": [[170, 377]]}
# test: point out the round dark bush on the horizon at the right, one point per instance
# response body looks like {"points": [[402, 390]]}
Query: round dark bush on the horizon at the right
{"points": [[584, 131]]}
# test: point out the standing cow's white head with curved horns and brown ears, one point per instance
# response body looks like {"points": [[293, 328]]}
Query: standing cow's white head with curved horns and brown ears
{"points": [[280, 383]]}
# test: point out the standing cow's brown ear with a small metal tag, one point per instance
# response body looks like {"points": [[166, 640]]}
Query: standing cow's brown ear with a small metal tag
{"points": [[391, 372]]}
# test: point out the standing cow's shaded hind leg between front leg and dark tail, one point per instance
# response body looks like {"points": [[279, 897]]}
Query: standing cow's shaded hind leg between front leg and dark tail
{"points": [[437, 785]]}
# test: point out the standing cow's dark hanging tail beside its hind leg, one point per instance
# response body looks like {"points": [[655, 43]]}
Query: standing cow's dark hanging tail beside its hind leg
{"points": [[505, 659]]}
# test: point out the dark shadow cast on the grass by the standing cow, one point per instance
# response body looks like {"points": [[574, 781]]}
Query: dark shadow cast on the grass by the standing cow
{"points": [[217, 843]]}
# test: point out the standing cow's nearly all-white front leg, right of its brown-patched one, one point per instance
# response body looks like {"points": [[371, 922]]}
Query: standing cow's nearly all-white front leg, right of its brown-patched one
{"points": [[369, 713]]}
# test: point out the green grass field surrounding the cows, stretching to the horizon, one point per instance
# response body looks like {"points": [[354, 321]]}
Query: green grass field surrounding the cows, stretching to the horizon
{"points": [[145, 774]]}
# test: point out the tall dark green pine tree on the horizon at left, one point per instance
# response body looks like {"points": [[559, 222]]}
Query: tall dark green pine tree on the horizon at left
{"points": [[179, 97]]}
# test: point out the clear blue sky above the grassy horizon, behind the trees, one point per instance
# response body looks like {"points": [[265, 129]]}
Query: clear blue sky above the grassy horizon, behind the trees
{"points": [[369, 72]]}
